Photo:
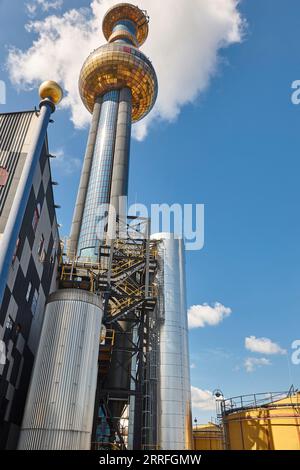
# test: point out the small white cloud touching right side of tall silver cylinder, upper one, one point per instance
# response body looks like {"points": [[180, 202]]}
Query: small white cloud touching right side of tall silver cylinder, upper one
{"points": [[201, 315]]}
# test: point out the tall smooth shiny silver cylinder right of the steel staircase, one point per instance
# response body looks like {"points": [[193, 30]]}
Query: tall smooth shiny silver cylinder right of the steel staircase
{"points": [[174, 407]]}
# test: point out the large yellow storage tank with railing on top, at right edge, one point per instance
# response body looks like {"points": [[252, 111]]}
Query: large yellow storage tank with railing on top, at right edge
{"points": [[268, 422]]}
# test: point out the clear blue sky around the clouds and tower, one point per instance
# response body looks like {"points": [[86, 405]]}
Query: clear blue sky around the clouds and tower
{"points": [[236, 150]]}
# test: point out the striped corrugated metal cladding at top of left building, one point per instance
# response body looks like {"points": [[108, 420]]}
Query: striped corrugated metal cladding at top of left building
{"points": [[13, 131]]}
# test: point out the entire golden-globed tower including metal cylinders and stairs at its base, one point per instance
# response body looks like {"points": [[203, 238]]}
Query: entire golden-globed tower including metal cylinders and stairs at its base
{"points": [[112, 367]]}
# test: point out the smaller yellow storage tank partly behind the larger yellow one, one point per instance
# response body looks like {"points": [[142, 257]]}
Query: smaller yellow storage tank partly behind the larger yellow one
{"points": [[208, 437]]}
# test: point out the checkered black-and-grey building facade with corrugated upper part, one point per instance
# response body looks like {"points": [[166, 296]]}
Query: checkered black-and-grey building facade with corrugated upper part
{"points": [[33, 271]]}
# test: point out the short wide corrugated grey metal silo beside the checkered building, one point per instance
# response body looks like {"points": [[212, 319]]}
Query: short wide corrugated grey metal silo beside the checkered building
{"points": [[60, 403]]}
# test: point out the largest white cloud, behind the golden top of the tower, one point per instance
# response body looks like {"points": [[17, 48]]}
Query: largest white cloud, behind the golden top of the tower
{"points": [[185, 40]]}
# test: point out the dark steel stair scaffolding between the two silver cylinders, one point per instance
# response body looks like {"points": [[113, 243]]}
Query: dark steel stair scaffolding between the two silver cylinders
{"points": [[124, 277]]}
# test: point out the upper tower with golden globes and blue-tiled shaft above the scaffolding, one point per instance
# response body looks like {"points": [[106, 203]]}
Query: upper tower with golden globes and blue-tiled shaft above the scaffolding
{"points": [[118, 85]]}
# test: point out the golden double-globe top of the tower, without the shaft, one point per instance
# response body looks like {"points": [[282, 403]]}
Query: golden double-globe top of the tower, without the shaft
{"points": [[120, 64]]}
